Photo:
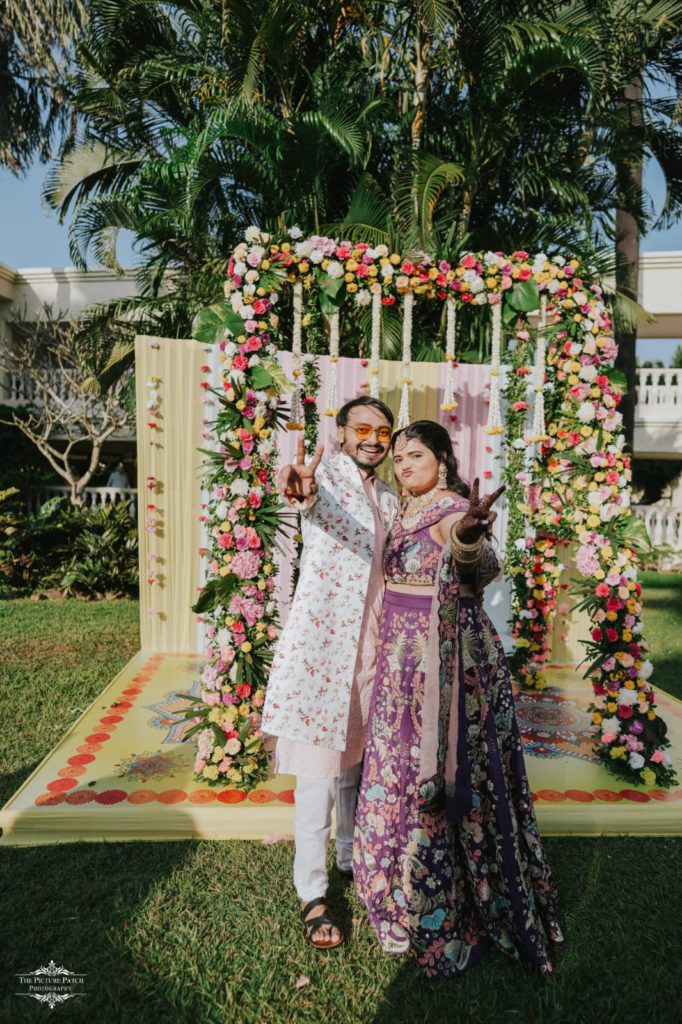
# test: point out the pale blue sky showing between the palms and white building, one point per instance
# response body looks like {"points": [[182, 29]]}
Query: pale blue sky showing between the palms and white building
{"points": [[31, 236]]}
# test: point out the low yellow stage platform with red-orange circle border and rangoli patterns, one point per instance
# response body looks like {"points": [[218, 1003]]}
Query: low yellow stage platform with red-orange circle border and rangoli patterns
{"points": [[122, 772]]}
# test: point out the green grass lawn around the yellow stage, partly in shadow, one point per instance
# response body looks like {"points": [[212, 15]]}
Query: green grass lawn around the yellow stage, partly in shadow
{"points": [[209, 932]]}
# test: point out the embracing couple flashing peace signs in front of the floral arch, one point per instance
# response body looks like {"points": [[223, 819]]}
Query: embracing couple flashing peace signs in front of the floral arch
{"points": [[390, 674]]}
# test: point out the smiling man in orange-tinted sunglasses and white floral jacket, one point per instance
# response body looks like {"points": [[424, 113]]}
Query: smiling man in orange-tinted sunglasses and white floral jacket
{"points": [[320, 687]]}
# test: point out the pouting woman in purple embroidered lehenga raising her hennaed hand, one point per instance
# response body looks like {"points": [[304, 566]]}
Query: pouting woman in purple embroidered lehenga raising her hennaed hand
{"points": [[447, 856]]}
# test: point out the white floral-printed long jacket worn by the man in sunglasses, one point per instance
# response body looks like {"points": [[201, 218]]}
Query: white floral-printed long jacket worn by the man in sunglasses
{"points": [[310, 689]]}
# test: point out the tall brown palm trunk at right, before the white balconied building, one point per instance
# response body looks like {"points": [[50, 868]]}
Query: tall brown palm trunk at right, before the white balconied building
{"points": [[629, 177]]}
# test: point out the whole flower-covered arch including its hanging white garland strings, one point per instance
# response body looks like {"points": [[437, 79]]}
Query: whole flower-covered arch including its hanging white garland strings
{"points": [[567, 474]]}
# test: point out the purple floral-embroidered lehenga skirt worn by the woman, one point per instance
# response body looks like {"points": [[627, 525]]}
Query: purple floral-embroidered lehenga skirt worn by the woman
{"points": [[447, 883]]}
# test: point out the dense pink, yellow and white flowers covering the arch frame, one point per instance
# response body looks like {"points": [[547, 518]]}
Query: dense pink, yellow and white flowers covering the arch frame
{"points": [[581, 473]]}
